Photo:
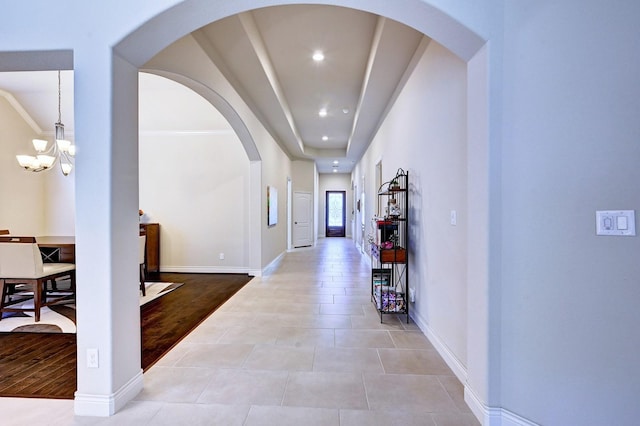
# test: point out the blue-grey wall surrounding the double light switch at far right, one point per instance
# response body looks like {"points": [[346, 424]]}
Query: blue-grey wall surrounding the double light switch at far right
{"points": [[571, 146]]}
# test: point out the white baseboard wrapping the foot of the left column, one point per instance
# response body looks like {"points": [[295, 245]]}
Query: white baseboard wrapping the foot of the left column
{"points": [[107, 405]]}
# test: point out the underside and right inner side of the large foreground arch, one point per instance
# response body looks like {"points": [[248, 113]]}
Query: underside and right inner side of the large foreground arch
{"points": [[482, 384]]}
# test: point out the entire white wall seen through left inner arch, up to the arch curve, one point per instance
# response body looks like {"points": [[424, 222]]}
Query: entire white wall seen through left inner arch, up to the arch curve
{"points": [[194, 179]]}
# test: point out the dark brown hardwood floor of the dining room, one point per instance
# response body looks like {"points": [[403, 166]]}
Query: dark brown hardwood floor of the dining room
{"points": [[41, 365]]}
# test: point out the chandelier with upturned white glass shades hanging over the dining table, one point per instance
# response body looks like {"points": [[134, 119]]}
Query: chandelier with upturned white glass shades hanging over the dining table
{"points": [[61, 151]]}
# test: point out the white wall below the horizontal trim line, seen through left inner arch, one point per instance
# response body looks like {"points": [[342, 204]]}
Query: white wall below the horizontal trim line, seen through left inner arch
{"points": [[195, 186]]}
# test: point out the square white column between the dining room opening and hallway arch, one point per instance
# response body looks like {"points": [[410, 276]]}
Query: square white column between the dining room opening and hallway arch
{"points": [[108, 313]]}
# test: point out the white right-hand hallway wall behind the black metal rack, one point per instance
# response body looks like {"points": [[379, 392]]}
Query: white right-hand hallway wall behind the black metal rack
{"points": [[430, 117]]}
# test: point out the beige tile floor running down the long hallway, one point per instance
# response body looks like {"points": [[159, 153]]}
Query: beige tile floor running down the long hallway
{"points": [[302, 345]]}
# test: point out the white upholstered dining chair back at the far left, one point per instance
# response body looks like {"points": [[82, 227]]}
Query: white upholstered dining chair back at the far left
{"points": [[20, 260]]}
